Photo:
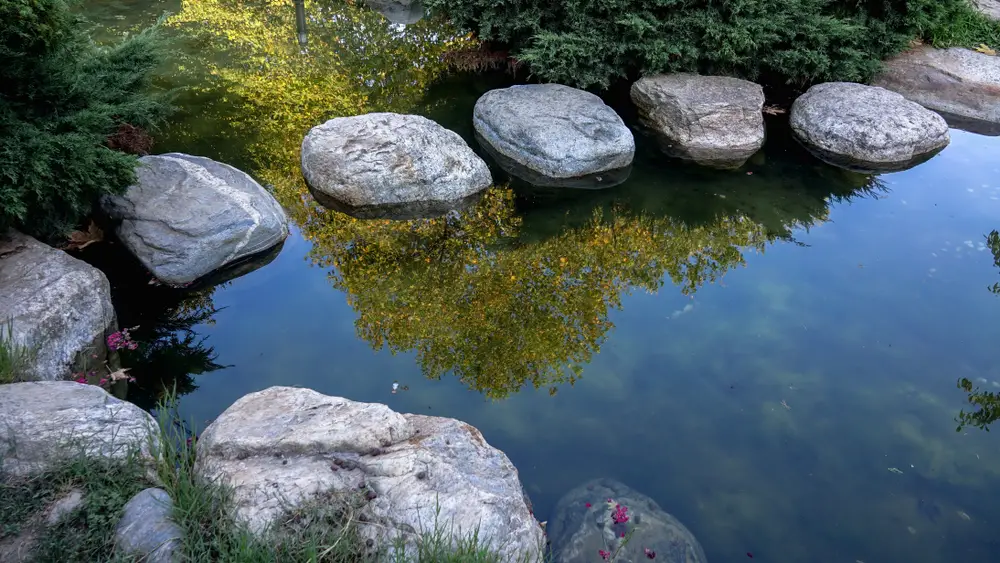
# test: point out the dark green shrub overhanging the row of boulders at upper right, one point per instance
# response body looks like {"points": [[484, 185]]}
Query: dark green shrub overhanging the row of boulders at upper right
{"points": [[593, 42]]}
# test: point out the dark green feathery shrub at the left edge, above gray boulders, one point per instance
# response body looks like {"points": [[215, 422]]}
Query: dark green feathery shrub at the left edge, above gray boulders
{"points": [[61, 97]]}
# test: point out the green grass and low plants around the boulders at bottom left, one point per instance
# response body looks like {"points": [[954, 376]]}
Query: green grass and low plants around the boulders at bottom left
{"points": [[323, 531]]}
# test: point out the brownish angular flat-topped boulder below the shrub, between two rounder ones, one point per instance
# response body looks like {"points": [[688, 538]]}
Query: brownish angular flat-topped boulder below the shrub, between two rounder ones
{"points": [[711, 120]]}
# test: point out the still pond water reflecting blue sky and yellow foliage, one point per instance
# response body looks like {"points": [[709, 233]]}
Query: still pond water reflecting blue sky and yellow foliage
{"points": [[770, 353]]}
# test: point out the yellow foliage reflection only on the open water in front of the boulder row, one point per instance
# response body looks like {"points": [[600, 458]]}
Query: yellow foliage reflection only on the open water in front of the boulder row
{"points": [[473, 300]]}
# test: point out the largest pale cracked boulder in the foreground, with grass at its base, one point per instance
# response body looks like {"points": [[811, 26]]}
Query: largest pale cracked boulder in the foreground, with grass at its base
{"points": [[284, 447]]}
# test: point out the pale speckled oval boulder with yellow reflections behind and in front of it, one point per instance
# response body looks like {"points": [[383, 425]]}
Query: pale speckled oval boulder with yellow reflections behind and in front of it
{"points": [[381, 160]]}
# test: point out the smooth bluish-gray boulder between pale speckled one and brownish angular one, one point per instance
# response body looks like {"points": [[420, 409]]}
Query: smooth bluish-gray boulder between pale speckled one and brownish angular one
{"points": [[554, 130]]}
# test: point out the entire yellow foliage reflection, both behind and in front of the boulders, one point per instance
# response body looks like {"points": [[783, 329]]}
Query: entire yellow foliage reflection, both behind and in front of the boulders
{"points": [[467, 293]]}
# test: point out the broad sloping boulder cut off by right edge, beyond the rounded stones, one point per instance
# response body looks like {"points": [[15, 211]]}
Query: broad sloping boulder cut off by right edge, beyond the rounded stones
{"points": [[961, 84]]}
